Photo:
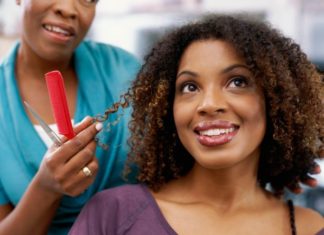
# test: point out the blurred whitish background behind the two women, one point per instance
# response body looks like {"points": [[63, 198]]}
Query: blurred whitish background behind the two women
{"points": [[136, 25]]}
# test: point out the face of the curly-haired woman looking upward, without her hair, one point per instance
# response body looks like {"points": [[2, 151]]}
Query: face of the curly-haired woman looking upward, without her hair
{"points": [[219, 111]]}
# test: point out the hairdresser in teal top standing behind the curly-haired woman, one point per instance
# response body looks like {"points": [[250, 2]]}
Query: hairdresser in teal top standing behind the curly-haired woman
{"points": [[43, 187]]}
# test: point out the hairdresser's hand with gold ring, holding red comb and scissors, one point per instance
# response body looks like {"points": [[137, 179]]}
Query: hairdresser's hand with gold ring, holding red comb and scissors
{"points": [[61, 171]]}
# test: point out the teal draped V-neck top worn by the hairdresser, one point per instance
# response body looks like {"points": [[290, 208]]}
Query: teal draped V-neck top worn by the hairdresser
{"points": [[104, 72]]}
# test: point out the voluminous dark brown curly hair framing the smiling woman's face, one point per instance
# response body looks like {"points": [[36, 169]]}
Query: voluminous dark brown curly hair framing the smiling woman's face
{"points": [[293, 92]]}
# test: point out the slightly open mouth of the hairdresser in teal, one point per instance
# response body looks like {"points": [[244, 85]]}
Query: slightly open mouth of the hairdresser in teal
{"points": [[61, 33]]}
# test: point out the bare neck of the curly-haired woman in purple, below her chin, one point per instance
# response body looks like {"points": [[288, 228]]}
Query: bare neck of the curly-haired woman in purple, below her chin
{"points": [[223, 187]]}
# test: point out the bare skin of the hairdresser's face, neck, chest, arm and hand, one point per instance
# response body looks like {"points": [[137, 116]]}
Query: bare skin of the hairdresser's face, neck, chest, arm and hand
{"points": [[42, 51]]}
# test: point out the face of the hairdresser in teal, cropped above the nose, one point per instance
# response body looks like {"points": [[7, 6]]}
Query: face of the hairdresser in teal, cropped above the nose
{"points": [[53, 28]]}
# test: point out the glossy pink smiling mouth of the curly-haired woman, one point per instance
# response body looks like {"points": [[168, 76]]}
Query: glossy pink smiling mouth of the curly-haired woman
{"points": [[215, 133]]}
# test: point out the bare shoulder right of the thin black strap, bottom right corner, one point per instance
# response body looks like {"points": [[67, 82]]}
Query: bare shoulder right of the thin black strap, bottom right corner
{"points": [[308, 221]]}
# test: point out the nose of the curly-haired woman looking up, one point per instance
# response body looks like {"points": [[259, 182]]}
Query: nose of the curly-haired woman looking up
{"points": [[212, 102]]}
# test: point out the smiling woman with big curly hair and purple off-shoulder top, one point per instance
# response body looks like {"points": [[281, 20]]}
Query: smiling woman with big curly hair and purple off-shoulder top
{"points": [[227, 113]]}
